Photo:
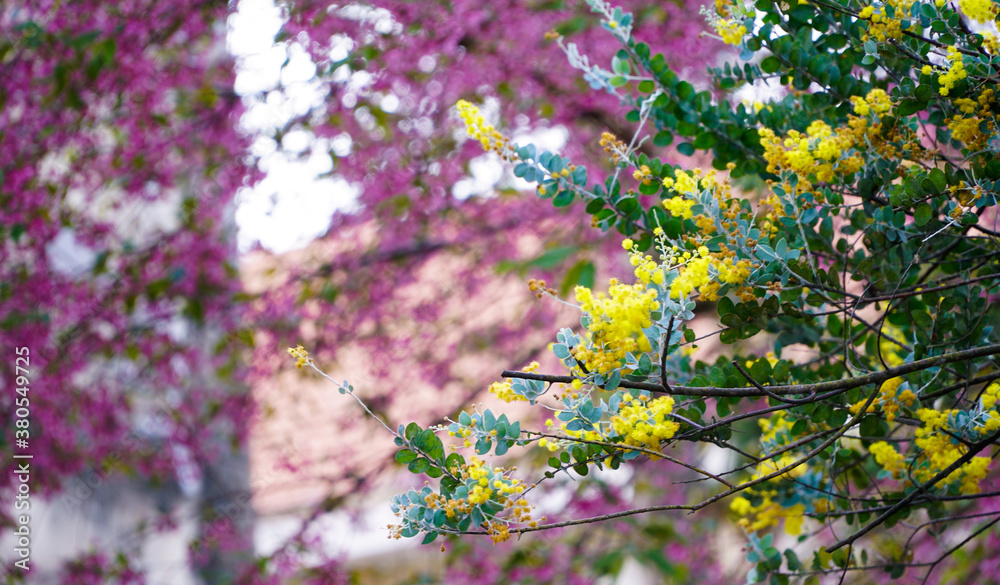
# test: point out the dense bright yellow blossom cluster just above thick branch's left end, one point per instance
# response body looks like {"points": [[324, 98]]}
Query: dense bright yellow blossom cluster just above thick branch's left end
{"points": [[616, 323]]}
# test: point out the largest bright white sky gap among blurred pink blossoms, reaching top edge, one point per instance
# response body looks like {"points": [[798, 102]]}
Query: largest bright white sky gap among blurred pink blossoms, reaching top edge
{"points": [[297, 198]]}
